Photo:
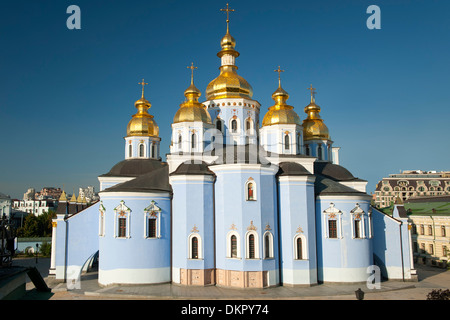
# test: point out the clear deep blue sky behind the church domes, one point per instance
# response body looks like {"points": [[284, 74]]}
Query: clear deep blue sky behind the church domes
{"points": [[66, 96]]}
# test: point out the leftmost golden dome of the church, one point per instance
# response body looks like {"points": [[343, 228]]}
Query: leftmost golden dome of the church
{"points": [[142, 123]]}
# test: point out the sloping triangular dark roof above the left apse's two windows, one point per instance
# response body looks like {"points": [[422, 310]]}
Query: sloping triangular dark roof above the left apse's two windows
{"points": [[157, 180]]}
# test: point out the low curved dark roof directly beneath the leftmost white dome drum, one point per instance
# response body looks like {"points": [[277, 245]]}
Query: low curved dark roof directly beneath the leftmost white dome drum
{"points": [[134, 167]]}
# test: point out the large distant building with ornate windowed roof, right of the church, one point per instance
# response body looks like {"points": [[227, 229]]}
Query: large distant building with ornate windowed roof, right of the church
{"points": [[410, 184]]}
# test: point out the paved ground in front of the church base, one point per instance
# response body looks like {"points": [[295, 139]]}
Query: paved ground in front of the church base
{"points": [[429, 278]]}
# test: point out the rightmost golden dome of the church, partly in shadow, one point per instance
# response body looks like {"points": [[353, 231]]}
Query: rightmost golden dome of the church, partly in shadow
{"points": [[313, 126]]}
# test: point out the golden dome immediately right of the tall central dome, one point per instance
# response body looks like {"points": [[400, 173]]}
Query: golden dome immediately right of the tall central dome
{"points": [[281, 113]]}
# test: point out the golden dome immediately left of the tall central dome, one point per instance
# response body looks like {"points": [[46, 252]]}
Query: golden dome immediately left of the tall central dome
{"points": [[191, 110]]}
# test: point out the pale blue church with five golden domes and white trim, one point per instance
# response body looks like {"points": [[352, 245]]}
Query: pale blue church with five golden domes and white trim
{"points": [[237, 203]]}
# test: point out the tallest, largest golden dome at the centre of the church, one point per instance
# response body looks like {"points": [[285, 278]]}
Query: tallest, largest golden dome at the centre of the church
{"points": [[228, 84]]}
